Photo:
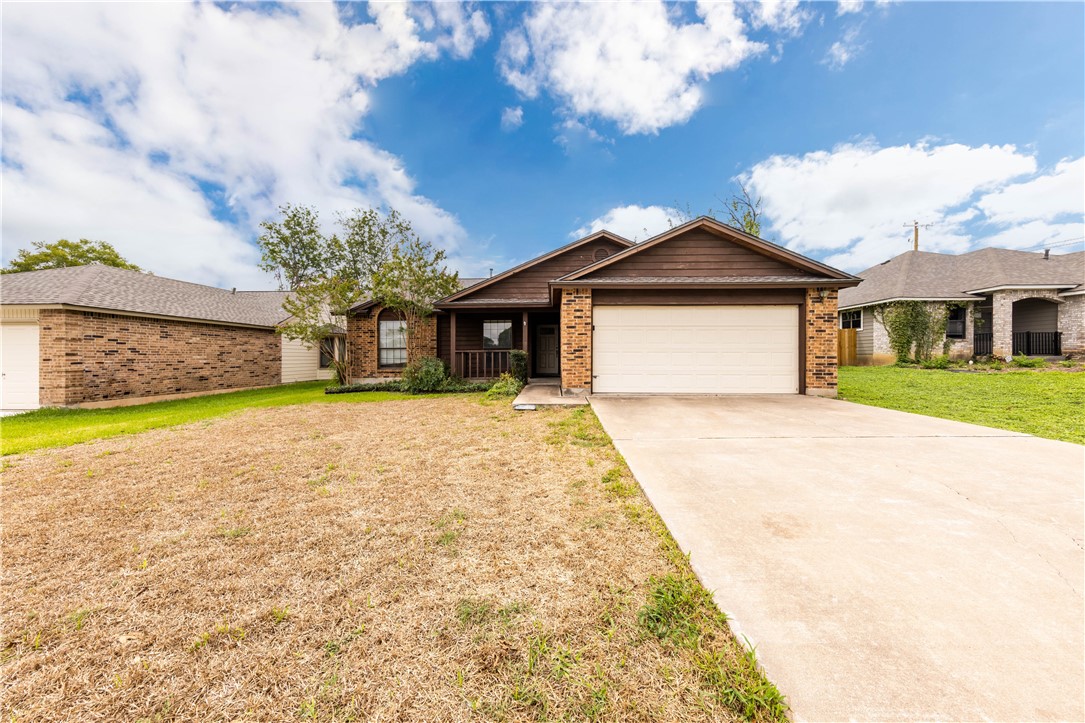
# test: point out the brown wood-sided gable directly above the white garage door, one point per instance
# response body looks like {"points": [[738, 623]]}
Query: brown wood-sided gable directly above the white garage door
{"points": [[744, 252]]}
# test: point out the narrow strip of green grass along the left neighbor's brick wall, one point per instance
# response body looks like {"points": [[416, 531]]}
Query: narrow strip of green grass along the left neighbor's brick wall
{"points": [[60, 428]]}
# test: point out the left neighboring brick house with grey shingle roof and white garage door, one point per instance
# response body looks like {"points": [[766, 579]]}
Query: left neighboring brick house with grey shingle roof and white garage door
{"points": [[93, 336]]}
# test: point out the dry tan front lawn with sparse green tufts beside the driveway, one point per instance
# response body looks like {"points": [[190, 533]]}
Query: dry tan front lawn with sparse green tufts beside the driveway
{"points": [[436, 560]]}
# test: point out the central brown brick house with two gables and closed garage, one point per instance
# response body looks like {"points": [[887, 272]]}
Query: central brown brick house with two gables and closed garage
{"points": [[701, 309]]}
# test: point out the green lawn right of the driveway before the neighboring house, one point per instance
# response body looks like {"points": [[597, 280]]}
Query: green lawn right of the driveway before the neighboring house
{"points": [[1049, 404]]}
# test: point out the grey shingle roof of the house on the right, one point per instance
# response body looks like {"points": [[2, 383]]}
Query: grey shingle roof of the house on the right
{"points": [[923, 275]]}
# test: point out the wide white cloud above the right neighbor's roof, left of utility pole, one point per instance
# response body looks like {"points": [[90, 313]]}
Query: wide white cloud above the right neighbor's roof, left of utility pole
{"points": [[852, 204]]}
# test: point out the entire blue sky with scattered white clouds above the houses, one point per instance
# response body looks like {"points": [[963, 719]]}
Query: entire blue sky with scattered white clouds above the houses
{"points": [[504, 131]]}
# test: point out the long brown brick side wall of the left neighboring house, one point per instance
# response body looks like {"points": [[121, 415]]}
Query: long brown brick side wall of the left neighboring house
{"points": [[97, 358]]}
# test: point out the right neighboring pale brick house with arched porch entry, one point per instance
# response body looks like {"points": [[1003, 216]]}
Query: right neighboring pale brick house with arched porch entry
{"points": [[1000, 302]]}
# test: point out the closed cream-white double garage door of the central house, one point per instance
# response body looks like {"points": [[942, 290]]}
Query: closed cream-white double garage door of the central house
{"points": [[696, 350]]}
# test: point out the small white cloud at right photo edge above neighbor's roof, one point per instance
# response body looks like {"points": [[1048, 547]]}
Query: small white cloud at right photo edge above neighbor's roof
{"points": [[1061, 193]]}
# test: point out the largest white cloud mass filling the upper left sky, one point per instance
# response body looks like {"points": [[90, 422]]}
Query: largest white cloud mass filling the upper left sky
{"points": [[117, 119]]}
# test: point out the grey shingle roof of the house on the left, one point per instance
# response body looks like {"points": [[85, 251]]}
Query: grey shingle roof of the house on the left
{"points": [[109, 289]]}
